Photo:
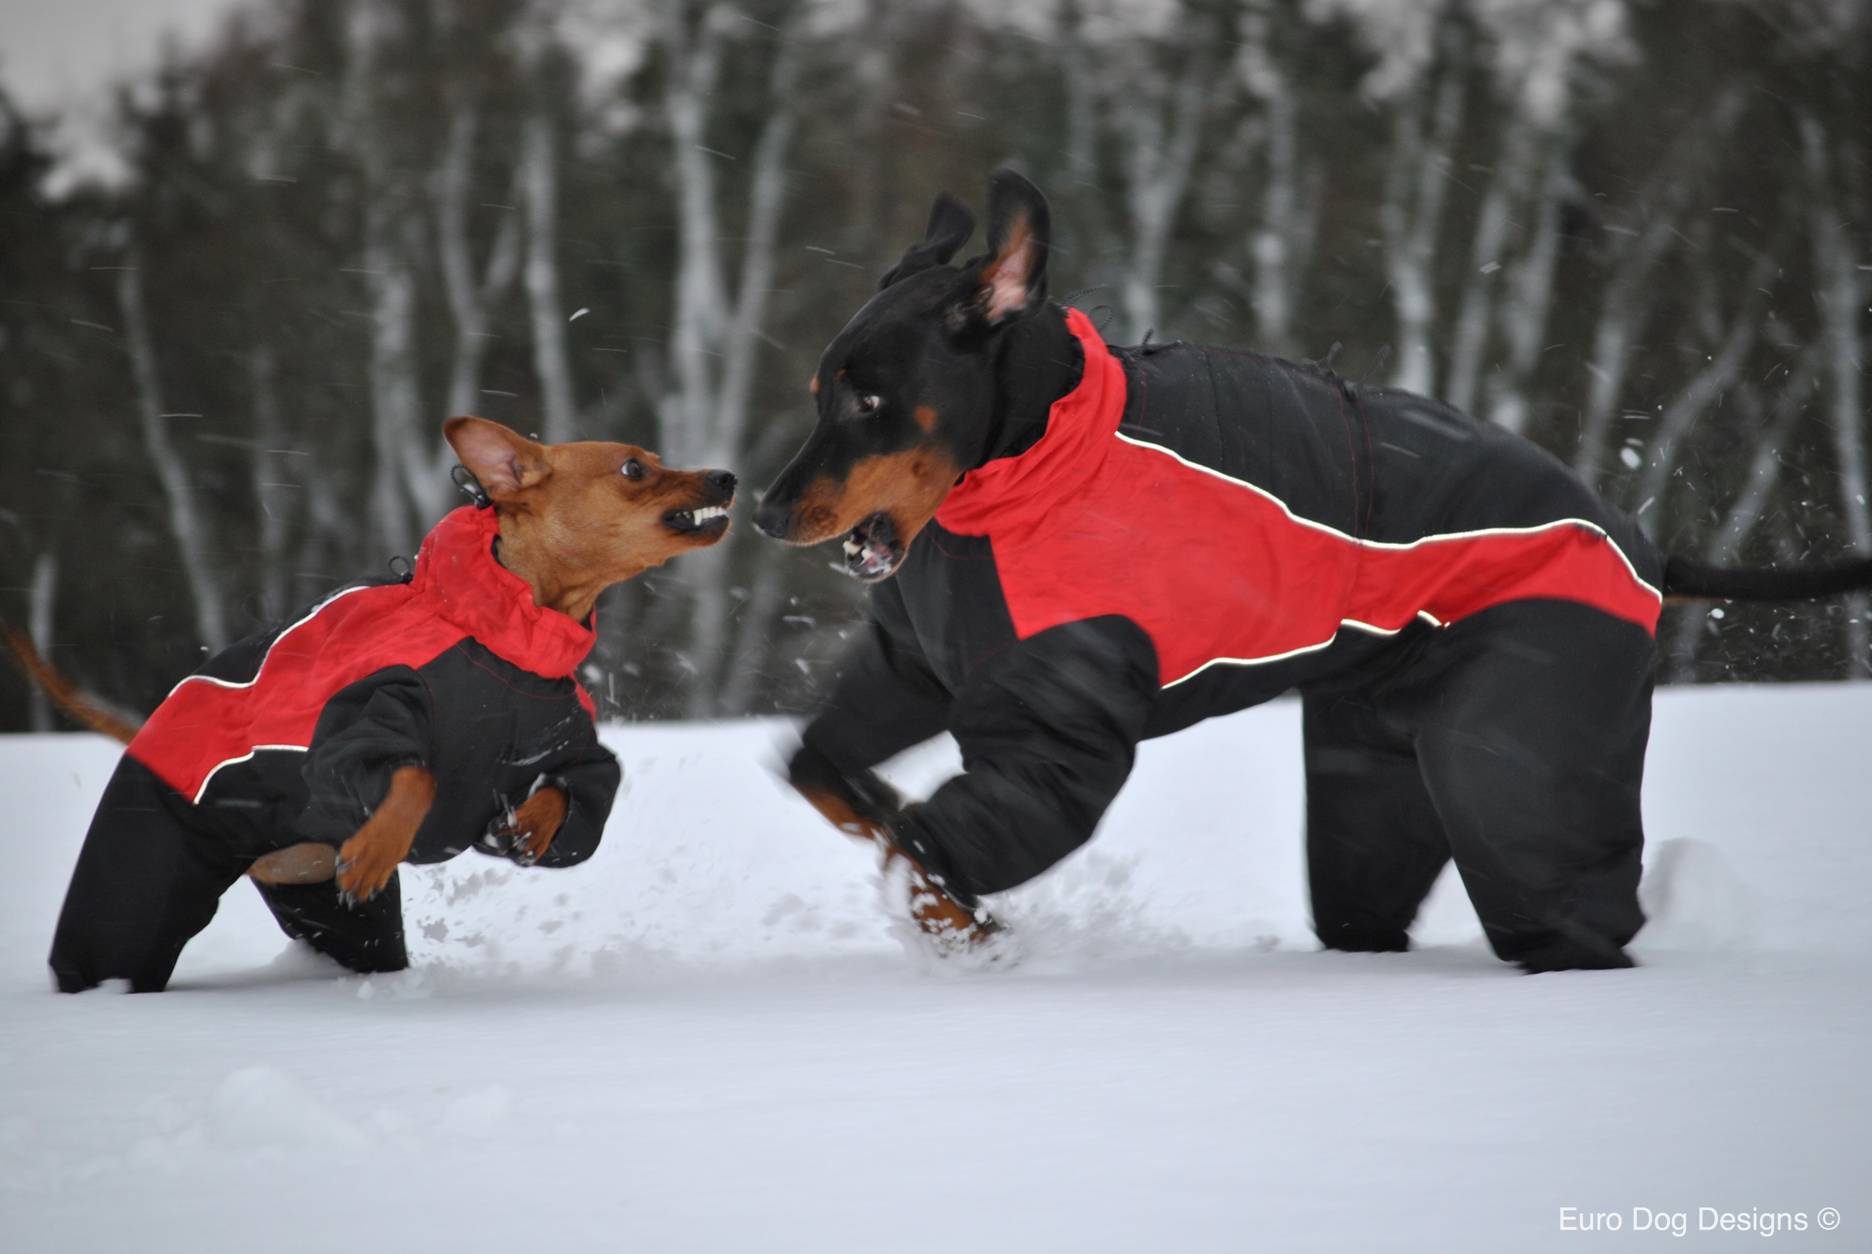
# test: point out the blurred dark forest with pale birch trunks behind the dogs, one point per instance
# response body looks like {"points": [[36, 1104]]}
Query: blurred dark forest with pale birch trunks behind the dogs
{"points": [[1639, 233]]}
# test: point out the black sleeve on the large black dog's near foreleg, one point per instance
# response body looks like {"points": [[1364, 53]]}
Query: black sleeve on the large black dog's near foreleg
{"points": [[1047, 736]]}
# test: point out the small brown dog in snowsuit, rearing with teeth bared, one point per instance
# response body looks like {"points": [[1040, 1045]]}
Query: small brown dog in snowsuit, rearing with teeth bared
{"points": [[390, 723]]}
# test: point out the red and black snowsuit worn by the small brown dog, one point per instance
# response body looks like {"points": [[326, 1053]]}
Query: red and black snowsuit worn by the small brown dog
{"points": [[293, 736]]}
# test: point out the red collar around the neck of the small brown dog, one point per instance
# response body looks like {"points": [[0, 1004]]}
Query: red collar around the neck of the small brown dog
{"points": [[460, 576]]}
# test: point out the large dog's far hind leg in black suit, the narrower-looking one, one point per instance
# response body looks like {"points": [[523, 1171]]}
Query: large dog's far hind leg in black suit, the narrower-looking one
{"points": [[1375, 843]]}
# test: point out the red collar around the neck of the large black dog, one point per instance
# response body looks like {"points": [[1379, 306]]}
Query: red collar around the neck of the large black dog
{"points": [[1079, 433]]}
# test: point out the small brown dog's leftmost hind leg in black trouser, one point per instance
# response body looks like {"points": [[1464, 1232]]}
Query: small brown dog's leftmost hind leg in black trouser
{"points": [[145, 884]]}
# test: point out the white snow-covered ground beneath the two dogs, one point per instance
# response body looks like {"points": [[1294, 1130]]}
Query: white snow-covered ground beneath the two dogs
{"points": [[710, 1040]]}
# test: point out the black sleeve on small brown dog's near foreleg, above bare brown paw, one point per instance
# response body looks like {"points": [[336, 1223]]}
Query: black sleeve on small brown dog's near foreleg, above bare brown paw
{"points": [[364, 735]]}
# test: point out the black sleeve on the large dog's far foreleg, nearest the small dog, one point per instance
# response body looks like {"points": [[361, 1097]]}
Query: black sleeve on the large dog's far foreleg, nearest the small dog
{"points": [[886, 697]]}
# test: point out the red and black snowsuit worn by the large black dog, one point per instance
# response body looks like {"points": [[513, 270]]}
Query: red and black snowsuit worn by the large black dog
{"points": [[1201, 531]]}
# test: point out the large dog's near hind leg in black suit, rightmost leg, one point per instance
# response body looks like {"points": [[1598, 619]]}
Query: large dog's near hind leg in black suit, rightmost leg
{"points": [[1532, 738]]}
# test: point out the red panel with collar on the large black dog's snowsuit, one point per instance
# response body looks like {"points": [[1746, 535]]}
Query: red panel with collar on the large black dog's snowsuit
{"points": [[1216, 570]]}
